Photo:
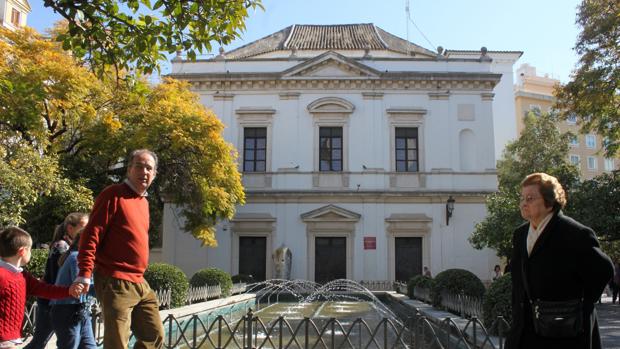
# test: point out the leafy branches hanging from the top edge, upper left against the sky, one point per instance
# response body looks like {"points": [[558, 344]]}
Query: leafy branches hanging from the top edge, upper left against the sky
{"points": [[132, 35]]}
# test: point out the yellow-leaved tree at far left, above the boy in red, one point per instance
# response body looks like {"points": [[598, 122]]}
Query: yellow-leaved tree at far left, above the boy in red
{"points": [[42, 102]]}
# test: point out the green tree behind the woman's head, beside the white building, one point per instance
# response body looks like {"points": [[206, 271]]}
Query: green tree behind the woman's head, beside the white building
{"points": [[540, 148]]}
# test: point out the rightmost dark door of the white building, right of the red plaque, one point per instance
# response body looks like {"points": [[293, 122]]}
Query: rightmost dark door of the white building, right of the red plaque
{"points": [[408, 257]]}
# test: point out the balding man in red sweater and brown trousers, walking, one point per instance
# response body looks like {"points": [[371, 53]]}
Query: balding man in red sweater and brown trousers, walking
{"points": [[115, 247]]}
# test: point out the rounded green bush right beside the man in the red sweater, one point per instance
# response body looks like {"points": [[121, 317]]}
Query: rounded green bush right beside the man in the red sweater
{"points": [[162, 276]]}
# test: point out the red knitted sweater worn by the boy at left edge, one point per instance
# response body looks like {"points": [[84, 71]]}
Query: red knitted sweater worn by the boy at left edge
{"points": [[13, 290]]}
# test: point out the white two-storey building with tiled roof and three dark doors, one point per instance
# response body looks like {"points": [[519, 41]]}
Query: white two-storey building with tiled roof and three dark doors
{"points": [[367, 156]]}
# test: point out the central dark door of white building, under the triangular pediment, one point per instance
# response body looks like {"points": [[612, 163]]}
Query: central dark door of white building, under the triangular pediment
{"points": [[330, 259]]}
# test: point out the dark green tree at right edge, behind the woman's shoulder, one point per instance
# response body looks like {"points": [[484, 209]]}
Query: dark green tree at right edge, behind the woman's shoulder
{"points": [[595, 203]]}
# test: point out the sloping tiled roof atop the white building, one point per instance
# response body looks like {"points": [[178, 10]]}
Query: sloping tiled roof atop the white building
{"points": [[328, 37]]}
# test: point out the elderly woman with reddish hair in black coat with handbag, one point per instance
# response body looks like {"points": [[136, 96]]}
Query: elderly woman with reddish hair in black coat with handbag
{"points": [[557, 268]]}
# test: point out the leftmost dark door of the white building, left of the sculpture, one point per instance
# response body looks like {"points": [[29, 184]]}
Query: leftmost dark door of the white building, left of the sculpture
{"points": [[253, 256]]}
